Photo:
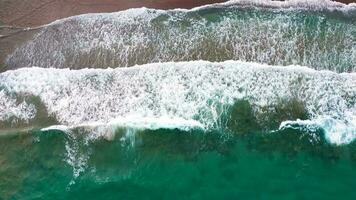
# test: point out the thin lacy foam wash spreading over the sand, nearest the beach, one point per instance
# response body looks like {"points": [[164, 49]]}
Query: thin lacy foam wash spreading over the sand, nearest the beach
{"points": [[319, 34]]}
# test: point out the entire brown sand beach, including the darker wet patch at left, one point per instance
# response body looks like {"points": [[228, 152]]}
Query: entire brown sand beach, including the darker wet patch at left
{"points": [[17, 15]]}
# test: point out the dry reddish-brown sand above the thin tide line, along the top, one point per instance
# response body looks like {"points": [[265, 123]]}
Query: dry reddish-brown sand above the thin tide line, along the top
{"points": [[39, 12]]}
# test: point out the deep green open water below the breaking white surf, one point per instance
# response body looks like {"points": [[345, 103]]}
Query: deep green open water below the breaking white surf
{"points": [[171, 164]]}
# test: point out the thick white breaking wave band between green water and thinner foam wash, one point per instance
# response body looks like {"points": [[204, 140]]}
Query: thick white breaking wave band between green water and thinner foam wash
{"points": [[229, 95]]}
